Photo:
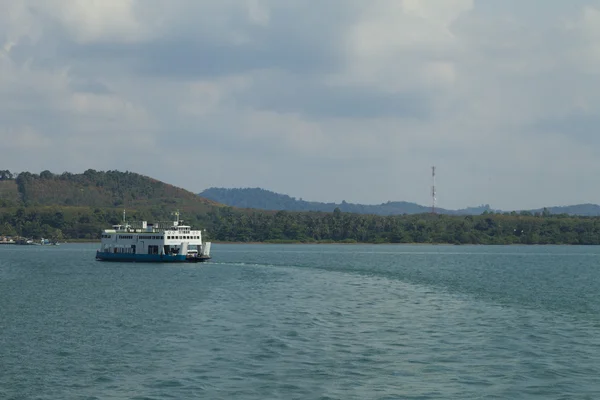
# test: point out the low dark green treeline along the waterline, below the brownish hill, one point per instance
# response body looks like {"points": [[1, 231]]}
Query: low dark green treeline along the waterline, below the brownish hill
{"points": [[231, 225]]}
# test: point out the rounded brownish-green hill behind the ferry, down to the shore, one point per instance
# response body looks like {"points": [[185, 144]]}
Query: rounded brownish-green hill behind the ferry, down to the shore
{"points": [[78, 206]]}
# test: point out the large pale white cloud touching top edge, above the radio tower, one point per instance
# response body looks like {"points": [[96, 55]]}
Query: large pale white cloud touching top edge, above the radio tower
{"points": [[394, 40]]}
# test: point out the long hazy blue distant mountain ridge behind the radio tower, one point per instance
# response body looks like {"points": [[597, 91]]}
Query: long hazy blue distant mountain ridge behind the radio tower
{"points": [[266, 200]]}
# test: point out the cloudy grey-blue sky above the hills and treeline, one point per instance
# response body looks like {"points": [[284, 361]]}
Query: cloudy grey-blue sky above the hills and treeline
{"points": [[324, 100]]}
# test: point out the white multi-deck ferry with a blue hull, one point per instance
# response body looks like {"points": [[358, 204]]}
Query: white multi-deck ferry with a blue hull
{"points": [[153, 242]]}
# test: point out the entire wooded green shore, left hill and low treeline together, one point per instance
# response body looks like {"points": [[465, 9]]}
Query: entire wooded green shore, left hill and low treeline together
{"points": [[77, 206]]}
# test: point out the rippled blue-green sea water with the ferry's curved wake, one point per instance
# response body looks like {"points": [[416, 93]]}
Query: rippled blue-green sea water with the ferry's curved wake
{"points": [[303, 322]]}
